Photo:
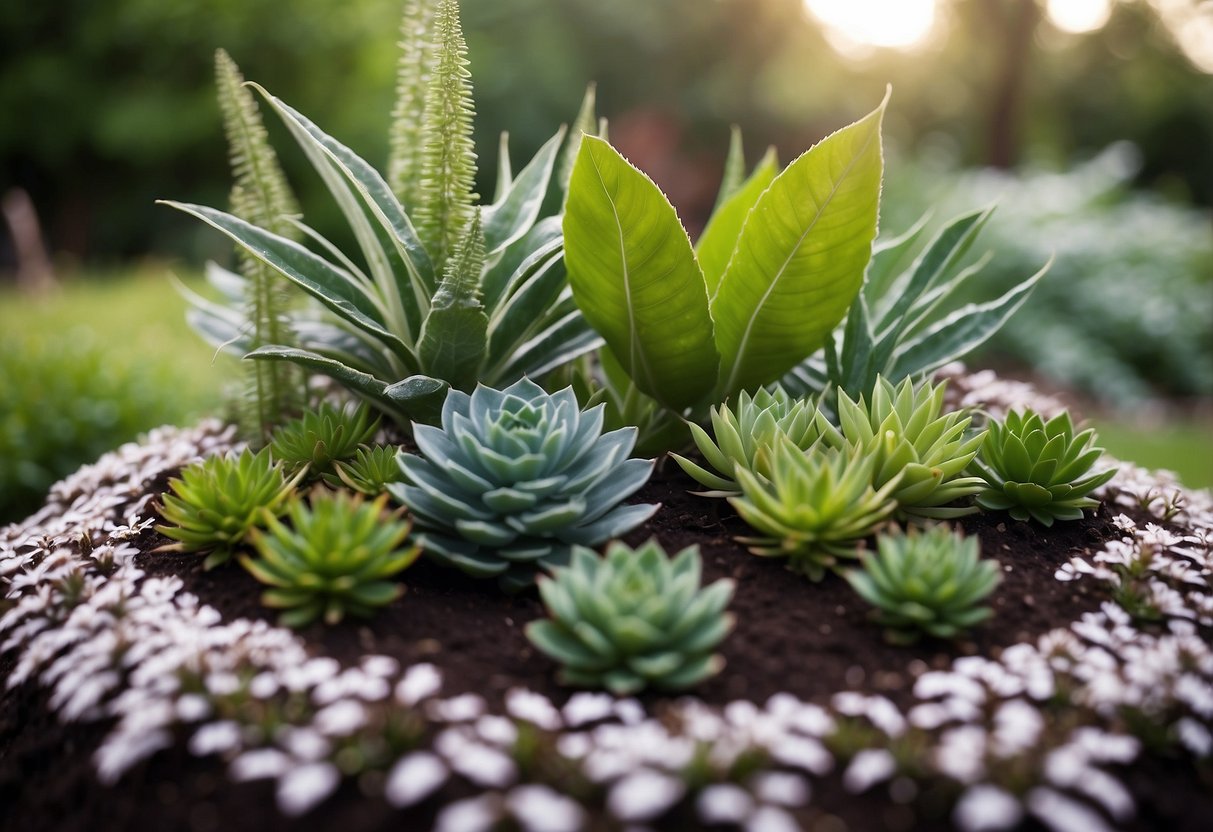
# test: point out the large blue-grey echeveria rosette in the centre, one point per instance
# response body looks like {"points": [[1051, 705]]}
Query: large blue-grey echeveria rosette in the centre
{"points": [[515, 478]]}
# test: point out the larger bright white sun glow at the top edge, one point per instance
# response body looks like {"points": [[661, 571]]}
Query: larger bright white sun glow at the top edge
{"points": [[865, 24]]}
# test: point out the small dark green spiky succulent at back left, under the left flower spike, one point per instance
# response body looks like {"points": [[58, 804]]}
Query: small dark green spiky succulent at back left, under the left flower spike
{"points": [[322, 437]]}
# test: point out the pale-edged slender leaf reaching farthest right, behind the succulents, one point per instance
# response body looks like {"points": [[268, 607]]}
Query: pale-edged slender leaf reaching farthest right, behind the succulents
{"points": [[963, 332]]}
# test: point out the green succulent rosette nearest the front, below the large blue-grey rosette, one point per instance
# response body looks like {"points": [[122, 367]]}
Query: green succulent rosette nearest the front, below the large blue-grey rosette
{"points": [[634, 619]]}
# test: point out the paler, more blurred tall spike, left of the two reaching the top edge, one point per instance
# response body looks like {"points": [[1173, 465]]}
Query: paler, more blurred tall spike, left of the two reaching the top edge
{"points": [[414, 72]]}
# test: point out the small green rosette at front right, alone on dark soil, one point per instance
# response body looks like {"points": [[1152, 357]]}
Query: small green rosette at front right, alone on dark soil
{"points": [[931, 583]]}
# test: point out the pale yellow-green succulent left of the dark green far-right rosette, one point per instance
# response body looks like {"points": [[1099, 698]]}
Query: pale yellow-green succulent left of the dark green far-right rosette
{"points": [[906, 432]]}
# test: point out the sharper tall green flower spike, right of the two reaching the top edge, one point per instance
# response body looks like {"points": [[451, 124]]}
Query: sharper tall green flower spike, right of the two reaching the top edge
{"points": [[448, 159]]}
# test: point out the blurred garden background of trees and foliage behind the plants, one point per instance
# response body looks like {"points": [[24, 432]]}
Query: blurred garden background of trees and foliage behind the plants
{"points": [[1090, 123]]}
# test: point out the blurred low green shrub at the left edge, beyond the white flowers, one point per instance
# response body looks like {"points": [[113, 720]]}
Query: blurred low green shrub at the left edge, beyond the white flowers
{"points": [[64, 403]]}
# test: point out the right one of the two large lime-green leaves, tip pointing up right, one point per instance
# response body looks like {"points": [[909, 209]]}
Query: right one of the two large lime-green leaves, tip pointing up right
{"points": [[801, 258]]}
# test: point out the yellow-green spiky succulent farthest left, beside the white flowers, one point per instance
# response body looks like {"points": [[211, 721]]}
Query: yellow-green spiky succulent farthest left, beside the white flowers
{"points": [[215, 504]]}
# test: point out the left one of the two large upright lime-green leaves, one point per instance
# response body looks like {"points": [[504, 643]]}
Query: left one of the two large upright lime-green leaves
{"points": [[636, 280]]}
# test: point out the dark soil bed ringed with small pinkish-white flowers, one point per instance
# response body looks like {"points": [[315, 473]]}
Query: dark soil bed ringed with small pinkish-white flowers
{"points": [[144, 693]]}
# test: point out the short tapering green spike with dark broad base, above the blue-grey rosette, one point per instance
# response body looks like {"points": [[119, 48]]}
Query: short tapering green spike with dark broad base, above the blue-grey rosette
{"points": [[454, 338]]}
